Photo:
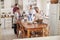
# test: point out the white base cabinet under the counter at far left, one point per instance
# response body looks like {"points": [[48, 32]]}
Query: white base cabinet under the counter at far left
{"points": [[6, 22]]}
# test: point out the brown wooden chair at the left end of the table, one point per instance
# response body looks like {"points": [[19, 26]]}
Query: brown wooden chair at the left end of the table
{"points": [[21, 28]]}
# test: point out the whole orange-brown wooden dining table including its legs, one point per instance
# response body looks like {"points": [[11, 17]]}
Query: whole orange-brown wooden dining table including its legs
{"points": [[33, 27]]}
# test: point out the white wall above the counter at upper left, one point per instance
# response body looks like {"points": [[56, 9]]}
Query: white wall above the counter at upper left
{"points": [[7, 6]]}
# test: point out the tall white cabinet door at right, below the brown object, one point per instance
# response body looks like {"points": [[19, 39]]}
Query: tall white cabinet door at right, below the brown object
{"points": [[53, 17]]}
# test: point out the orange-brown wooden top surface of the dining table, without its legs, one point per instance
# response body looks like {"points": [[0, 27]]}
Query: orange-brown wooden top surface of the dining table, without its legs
{"points": [[33, 26]]}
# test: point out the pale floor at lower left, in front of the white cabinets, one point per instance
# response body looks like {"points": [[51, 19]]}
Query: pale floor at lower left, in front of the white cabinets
{"points": [[8, 34]]}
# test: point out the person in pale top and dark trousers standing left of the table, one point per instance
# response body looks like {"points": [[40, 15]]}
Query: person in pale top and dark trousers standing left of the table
{"points": [[16, 18]]}
